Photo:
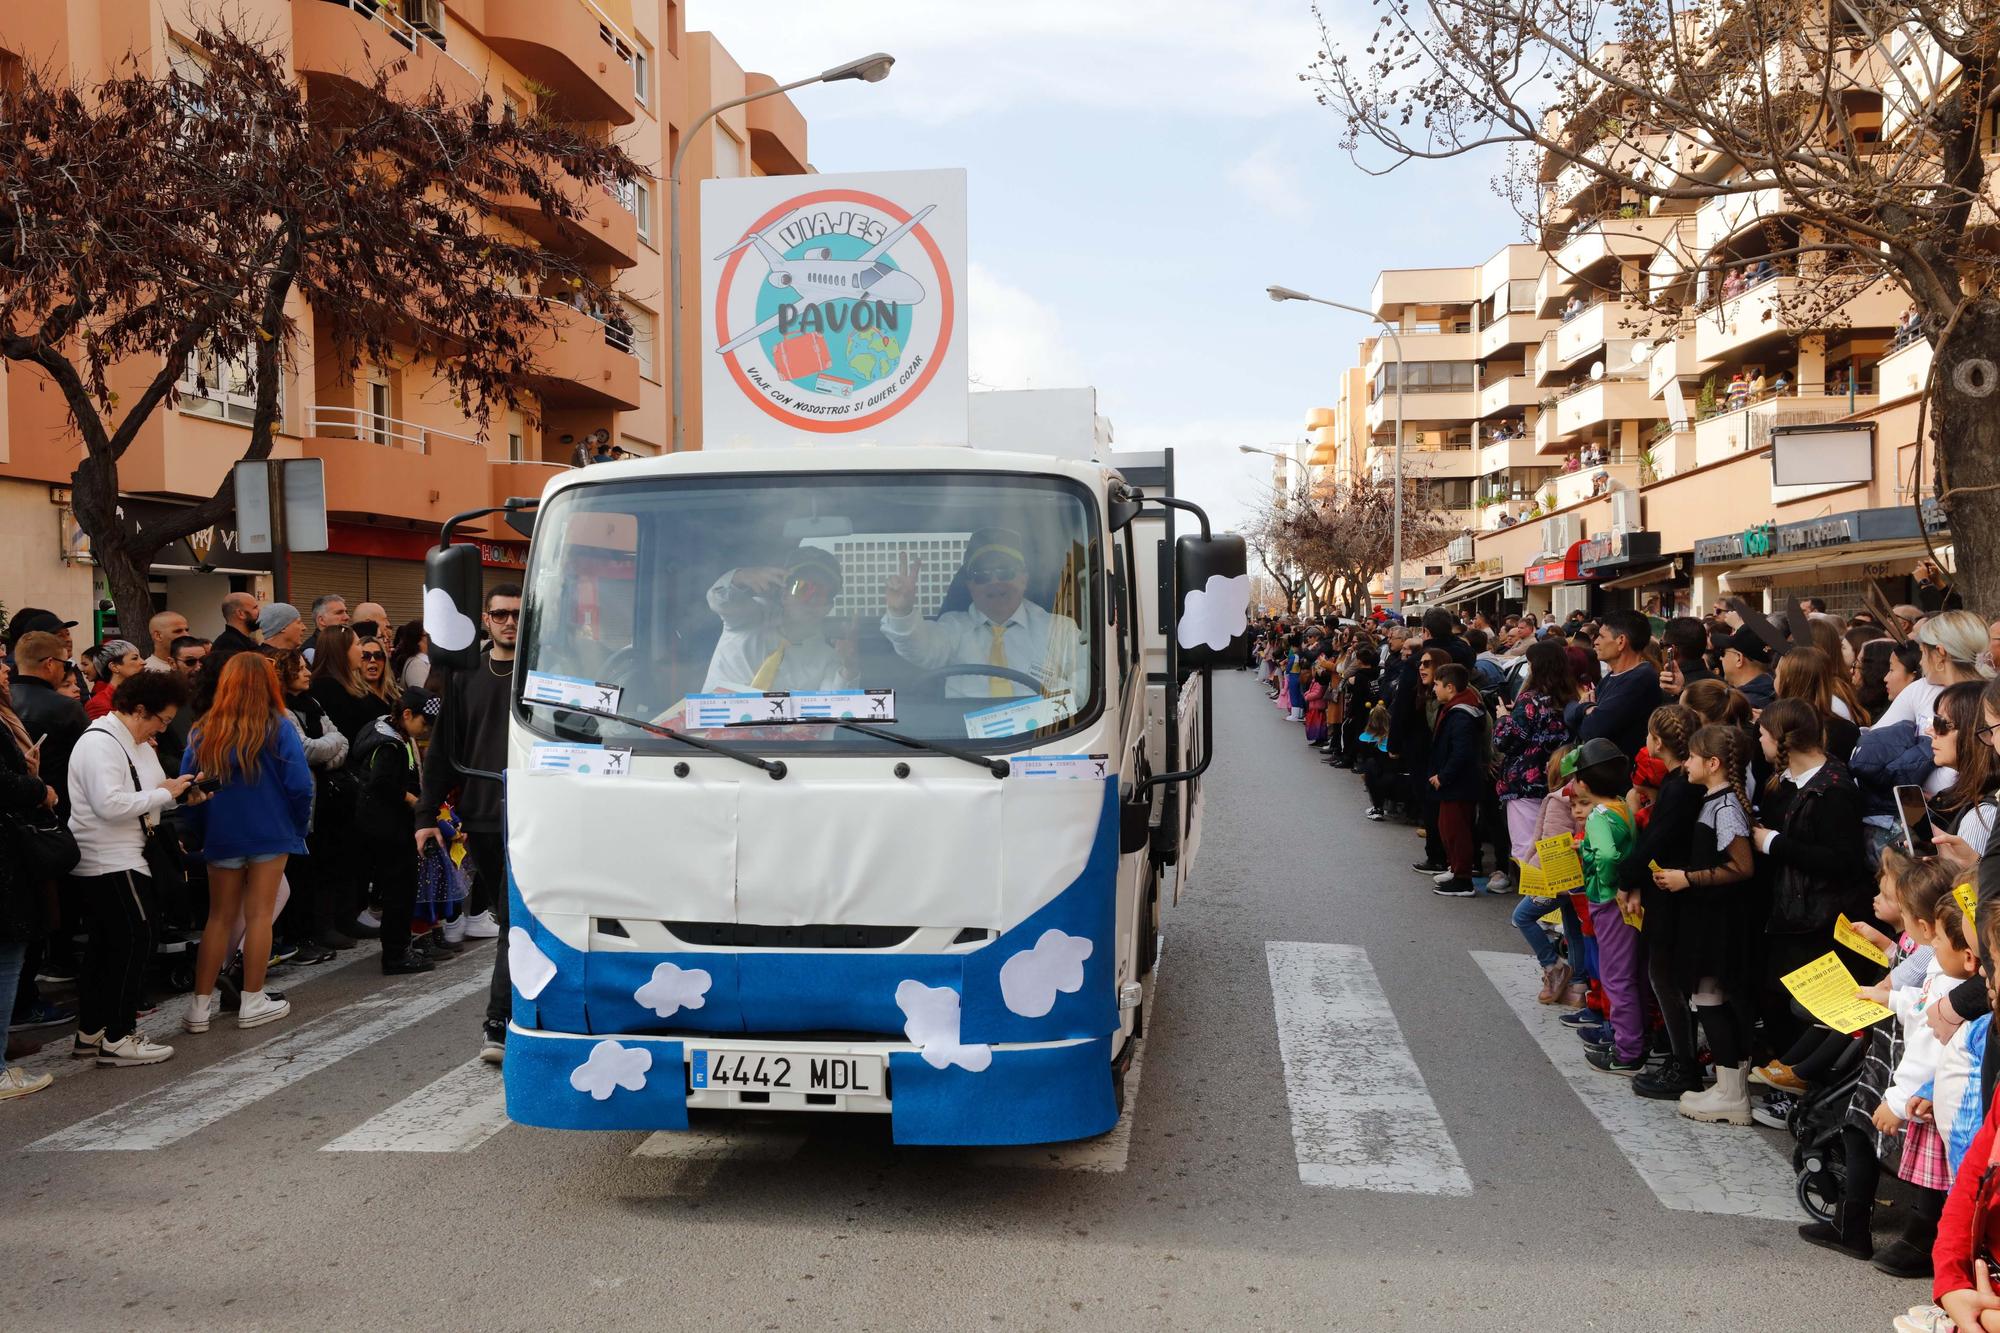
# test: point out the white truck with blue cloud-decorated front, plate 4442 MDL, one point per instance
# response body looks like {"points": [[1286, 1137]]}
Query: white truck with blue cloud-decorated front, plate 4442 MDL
{"points": [[893, 872]]}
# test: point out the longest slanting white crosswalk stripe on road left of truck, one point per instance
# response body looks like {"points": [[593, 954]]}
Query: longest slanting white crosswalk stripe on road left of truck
{"points": [[179, 1110]]}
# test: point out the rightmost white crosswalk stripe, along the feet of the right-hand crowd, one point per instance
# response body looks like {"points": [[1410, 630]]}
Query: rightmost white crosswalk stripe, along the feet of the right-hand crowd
{"points": [[1689, 1168]]}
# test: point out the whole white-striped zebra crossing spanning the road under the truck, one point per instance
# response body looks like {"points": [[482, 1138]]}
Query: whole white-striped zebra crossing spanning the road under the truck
{"points": [[1363, 1114]]}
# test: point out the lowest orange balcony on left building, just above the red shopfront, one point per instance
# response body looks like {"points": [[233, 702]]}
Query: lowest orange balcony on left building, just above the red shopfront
{"points": [[385, 467]]}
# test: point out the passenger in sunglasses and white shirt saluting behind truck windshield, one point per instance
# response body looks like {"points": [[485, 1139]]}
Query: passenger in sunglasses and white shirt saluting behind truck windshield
{"points": [[775, 629]]}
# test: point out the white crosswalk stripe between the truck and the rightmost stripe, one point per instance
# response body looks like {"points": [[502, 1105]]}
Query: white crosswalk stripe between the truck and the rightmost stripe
{"points": [[1361, 1112]]}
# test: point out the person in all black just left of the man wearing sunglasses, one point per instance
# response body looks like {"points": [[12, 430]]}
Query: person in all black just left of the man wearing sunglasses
{"points": [[385, 758]]}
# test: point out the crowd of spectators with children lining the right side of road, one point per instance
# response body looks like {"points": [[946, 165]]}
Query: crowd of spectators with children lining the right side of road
{"points": [[1735, 790]]}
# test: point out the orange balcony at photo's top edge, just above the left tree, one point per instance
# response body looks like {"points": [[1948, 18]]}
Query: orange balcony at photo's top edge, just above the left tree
{"points": [[341, 45]]}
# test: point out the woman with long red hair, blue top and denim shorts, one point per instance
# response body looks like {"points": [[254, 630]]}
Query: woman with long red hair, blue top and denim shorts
{"points": [[249, 828]]}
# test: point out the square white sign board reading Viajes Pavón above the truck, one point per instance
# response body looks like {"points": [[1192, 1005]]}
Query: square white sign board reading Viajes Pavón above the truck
{"points": [[835, 309]]}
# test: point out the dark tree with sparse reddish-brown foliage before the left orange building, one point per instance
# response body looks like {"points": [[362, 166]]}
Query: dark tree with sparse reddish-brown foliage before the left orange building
{"points": [[151, 221]]}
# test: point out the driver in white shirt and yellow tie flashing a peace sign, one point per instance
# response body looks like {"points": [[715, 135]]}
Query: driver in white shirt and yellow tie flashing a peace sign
{"points": [[1001, 627]]}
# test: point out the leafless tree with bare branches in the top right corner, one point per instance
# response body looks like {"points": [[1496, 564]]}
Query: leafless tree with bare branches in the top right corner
{"points": [[1861, 127]]}
